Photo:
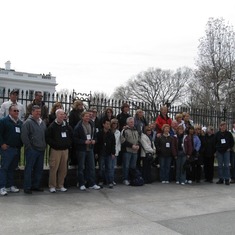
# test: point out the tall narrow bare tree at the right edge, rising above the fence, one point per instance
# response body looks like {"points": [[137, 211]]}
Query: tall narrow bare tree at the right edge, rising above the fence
{"points": [[216, 65]]}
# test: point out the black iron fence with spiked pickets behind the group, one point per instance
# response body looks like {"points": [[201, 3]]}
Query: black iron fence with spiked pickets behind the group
{"points": [[203, 117]]}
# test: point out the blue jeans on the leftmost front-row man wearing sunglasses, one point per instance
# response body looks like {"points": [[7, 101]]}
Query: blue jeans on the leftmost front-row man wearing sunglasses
{"points": [[9, 162]]}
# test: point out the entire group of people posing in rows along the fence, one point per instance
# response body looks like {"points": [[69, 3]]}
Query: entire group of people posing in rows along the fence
{"points": [[86, 140]]}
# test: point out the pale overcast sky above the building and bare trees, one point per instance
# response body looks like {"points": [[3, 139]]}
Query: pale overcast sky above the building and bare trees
{"points": [[97, 45]]}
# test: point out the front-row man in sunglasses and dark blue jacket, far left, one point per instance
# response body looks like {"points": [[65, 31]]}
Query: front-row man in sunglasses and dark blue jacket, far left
{"points": [[10, 142]]}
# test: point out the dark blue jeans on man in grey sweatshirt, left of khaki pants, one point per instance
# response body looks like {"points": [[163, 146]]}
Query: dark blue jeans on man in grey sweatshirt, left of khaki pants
{"points": [[33, 168]]}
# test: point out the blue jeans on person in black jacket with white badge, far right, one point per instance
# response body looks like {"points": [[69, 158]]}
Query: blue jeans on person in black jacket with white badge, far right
{"points": [[223, 165]]}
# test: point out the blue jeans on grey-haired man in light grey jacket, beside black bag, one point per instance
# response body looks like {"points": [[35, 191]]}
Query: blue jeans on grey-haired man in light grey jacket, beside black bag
{"points": [[129, 161]]}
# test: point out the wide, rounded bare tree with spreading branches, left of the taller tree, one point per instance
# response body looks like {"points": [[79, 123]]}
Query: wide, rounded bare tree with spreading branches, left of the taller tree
{"points": [[156, 86]]}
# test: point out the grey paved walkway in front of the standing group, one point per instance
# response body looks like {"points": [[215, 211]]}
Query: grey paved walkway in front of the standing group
{"points": [[150, 209]]}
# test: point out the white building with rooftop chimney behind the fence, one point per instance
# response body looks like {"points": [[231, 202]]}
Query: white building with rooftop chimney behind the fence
{"points": [[11, 79]]}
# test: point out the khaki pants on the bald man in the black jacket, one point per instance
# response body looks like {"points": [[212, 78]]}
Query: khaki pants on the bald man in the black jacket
{"points": [[58, 167]]}
